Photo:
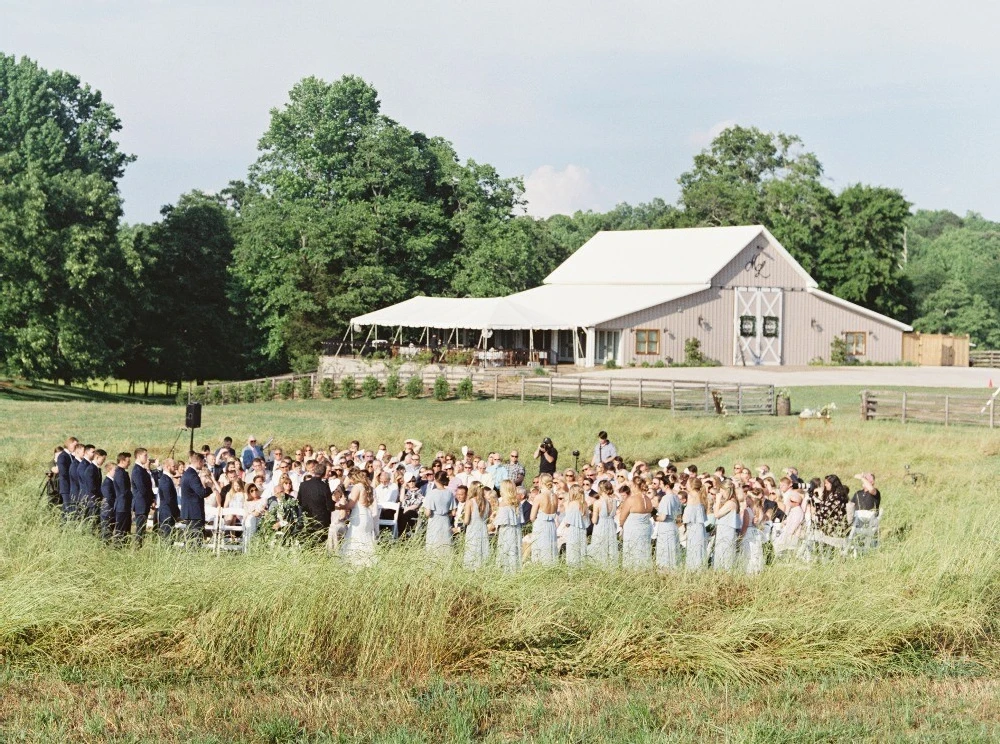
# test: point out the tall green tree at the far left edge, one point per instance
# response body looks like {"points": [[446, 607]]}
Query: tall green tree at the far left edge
{"points": [[60, 261]]}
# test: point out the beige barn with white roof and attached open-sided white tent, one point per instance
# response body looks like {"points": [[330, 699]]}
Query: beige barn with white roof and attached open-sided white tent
{"points": [[636, 296]]}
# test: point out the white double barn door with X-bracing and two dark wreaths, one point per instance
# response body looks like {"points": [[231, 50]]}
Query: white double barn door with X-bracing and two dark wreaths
{"points": [[758, 326]]}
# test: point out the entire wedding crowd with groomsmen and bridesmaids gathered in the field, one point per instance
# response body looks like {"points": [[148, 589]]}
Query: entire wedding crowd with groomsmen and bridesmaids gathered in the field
{"points": [[484, 507]]}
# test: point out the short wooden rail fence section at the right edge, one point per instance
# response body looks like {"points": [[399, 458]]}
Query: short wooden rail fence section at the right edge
{"points": [[929, 408]]}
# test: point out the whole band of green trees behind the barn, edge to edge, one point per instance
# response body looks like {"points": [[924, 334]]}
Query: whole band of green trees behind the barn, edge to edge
{"points": [[346, 210]]}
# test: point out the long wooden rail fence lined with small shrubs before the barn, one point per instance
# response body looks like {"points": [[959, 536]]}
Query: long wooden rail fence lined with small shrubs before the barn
{"points": [[695, 398]]}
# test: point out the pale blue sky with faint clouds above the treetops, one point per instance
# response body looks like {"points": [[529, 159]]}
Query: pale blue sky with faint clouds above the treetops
{"points": [[593, 103]]}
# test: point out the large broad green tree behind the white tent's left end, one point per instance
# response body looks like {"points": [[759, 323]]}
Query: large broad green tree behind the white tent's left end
{"points": [[347, 211]]}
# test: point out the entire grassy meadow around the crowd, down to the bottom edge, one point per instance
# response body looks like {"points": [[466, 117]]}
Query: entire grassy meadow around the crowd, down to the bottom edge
{"points": [[155, 645]]}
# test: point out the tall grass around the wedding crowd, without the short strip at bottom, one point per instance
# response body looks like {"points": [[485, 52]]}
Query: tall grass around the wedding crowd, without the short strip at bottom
{"points": [[931, 592]]}
